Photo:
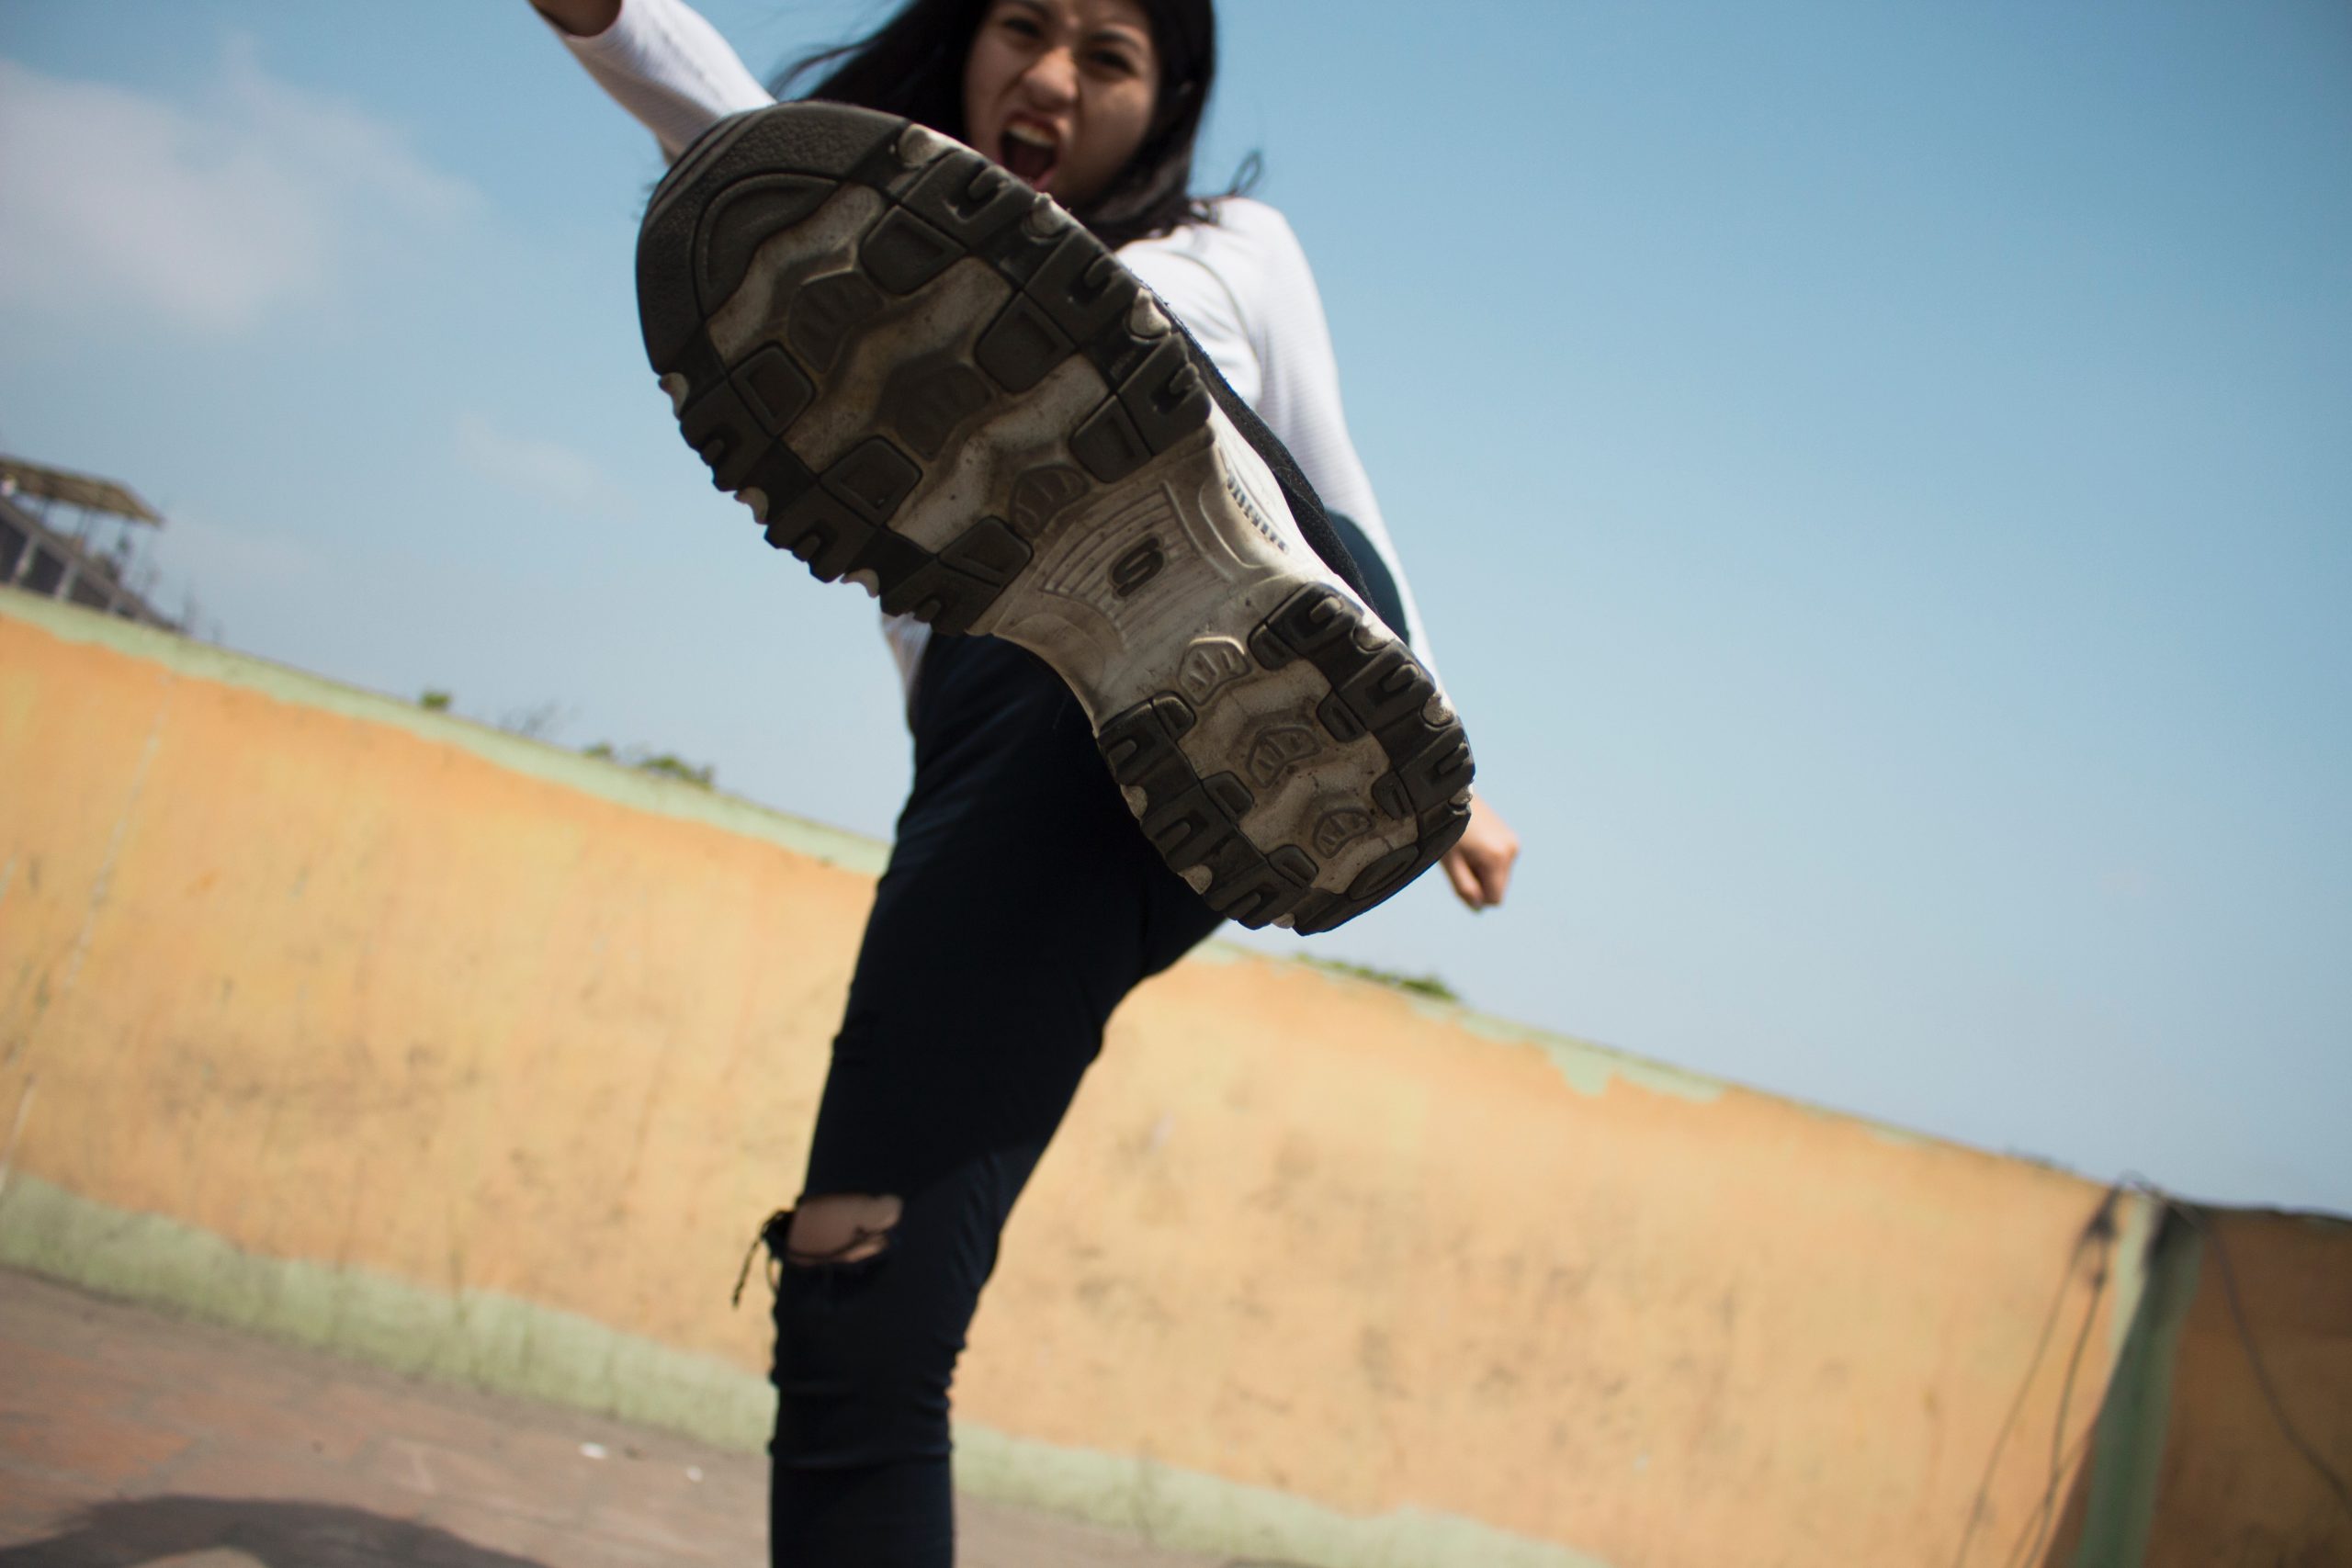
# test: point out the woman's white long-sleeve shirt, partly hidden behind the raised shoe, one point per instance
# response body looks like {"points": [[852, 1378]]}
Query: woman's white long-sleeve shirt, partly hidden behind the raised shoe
{"points": [[1241, 283]]}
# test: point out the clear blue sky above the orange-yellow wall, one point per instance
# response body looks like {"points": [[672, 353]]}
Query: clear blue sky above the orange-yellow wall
{"points": [[1880, 481]]}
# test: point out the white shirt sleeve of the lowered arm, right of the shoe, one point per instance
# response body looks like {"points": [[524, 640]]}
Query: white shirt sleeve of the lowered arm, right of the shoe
{"points": [[1245, 293]]}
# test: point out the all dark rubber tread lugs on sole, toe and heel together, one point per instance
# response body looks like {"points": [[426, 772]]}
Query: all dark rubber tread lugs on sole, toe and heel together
{"points": [[768, 170]]}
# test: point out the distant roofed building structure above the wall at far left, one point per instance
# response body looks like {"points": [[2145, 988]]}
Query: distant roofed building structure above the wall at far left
{"points": [[76, 540]]}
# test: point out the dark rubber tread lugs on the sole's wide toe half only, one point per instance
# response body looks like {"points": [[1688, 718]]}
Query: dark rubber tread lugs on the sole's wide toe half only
{"points": [[1074, 297]]}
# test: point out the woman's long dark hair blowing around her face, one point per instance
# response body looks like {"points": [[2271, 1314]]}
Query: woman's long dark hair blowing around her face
{"points": [[914, 65]]}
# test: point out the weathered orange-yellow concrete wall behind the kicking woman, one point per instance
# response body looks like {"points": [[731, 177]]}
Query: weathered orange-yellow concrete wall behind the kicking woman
{"points": [[349, 984]]}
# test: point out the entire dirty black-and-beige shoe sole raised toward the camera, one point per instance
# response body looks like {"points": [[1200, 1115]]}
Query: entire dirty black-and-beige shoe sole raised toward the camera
{"points": [[930, 380]]}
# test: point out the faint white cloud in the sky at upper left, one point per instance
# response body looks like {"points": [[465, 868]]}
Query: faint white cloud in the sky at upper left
{"points": [[116, 203]]}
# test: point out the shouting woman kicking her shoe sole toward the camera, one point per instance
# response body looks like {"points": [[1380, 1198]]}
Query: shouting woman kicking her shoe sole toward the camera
{"points": [[933, 382]]}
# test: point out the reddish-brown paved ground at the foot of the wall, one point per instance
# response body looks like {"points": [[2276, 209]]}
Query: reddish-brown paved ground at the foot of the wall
{"points": [[135, 1438]]}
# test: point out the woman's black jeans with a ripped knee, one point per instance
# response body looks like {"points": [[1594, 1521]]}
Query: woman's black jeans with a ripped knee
{"points": [[1020, 909]]}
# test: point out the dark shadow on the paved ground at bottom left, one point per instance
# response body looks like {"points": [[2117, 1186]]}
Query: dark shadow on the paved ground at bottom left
{"points": [[274, 1534]]}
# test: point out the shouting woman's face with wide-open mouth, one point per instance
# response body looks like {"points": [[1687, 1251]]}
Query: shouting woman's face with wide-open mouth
{"points": [[1062, 93]]}
